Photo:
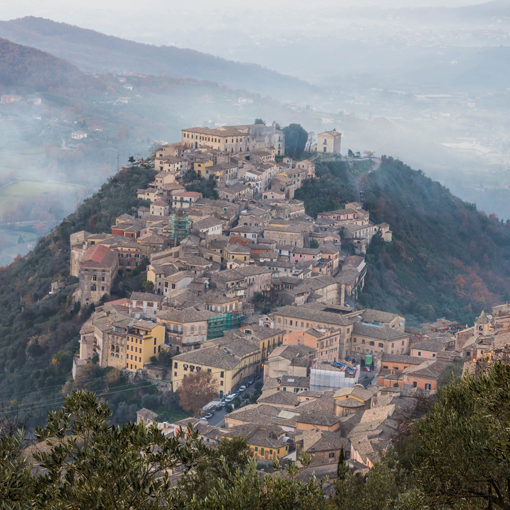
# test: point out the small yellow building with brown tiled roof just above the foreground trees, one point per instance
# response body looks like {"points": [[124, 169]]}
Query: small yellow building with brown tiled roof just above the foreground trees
{"points": [[264, 442]]}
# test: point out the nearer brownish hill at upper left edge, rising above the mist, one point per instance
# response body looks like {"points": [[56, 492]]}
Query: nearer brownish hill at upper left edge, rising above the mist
{"points": [[23, 68]]}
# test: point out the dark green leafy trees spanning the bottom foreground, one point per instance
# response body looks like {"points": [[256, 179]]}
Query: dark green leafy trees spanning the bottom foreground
{"points": [[456, 458]]}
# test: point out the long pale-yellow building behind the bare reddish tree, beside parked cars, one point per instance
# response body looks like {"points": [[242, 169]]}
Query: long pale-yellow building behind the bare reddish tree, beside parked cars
{"points": [[230, 364]]}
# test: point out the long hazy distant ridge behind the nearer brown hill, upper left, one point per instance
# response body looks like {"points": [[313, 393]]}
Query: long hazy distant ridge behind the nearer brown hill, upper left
{"points": [[93, 51]]}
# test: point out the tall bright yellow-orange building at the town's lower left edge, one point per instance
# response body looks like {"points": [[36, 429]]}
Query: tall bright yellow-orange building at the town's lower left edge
{"points": [[144, 340]]}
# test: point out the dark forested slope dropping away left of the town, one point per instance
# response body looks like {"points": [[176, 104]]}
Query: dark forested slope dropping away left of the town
{"points": [[39, 334]]}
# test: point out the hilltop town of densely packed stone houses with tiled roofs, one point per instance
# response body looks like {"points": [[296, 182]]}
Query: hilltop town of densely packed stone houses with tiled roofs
{"points": [[250, 291]]}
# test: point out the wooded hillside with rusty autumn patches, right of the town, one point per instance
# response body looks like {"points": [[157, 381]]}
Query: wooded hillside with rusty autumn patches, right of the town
{"points": [[446, 260]]}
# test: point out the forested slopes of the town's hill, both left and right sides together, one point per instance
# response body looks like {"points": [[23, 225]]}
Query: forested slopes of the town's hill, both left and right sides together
{"points": [[446, 259]]}
